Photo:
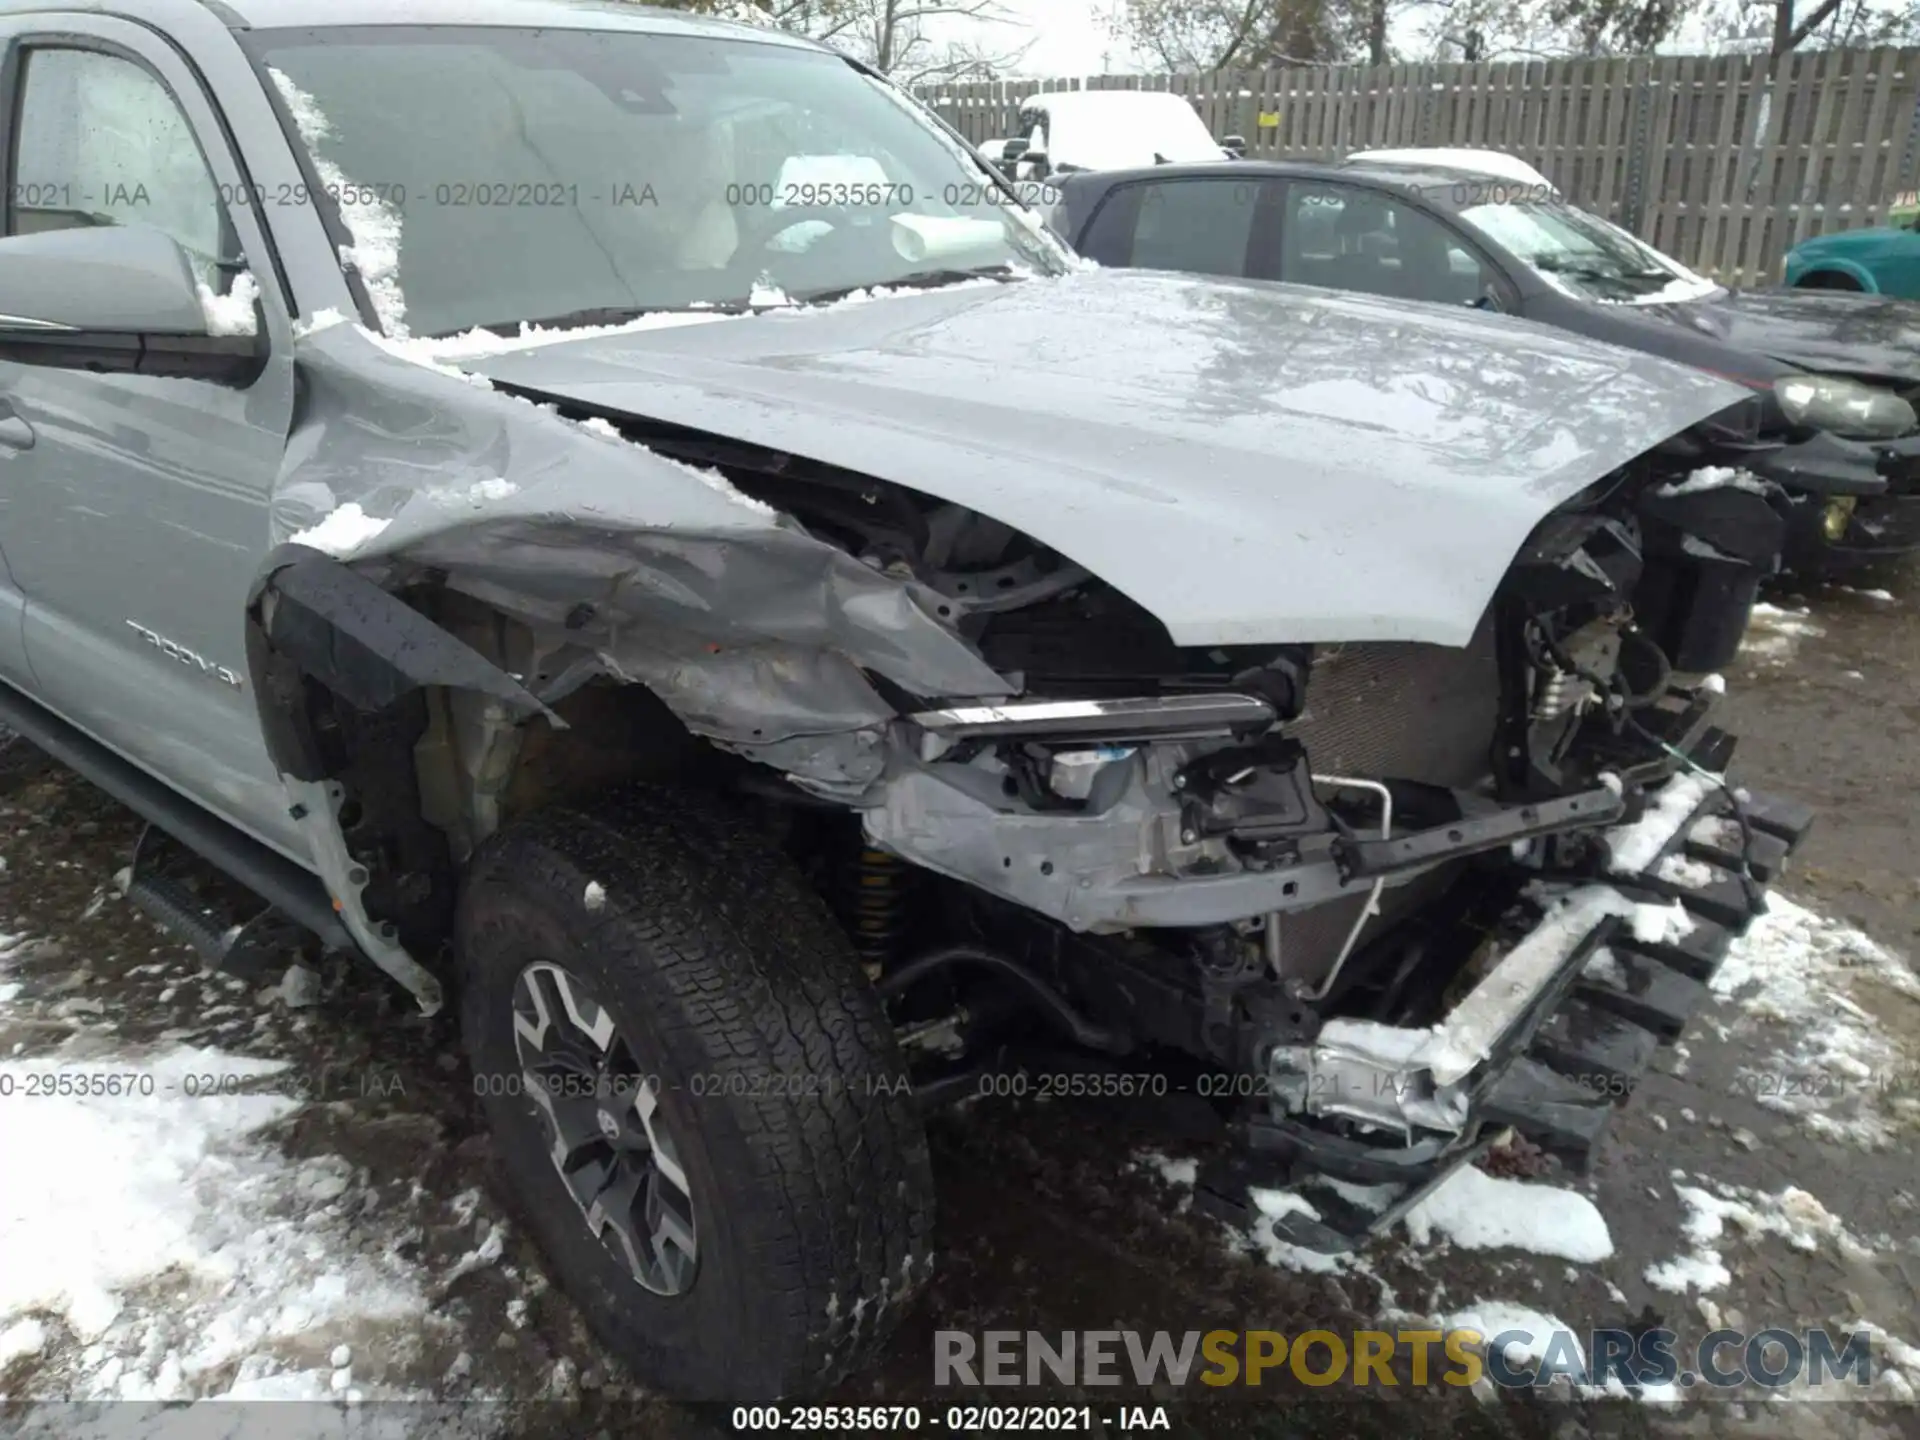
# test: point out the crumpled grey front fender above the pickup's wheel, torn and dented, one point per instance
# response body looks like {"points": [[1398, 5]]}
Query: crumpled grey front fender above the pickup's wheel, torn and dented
{"points": [[408, 483]]}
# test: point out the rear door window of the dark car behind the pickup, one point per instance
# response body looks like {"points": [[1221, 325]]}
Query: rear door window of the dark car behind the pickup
{"points": [[1178, 226]]}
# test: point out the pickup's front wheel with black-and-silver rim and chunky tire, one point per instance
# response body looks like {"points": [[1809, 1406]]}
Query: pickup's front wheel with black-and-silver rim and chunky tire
{"points": [[696, 1095]]}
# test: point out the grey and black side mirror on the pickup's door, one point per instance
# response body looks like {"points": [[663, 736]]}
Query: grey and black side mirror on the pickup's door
{"points": [[120, 300]]}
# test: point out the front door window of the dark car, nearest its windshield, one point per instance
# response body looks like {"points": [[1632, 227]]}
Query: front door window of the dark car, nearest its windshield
{"points": [[1351, 239]]}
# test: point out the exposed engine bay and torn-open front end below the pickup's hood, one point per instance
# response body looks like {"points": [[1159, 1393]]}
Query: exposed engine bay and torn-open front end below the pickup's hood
{"points": [[1360, 880]]}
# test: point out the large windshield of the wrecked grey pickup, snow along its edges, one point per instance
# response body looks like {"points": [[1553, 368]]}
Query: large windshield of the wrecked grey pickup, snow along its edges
{"points": [[491, 178]]}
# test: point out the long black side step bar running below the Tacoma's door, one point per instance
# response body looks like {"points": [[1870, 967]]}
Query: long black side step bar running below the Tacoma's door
{"points": [[270, 875]]}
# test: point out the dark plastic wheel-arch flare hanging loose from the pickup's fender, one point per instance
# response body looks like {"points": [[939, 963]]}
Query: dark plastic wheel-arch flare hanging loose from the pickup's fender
{"points": [[370, 648]]}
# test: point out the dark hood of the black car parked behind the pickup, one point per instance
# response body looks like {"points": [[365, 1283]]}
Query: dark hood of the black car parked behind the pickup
{"points": [[1829, 331]]}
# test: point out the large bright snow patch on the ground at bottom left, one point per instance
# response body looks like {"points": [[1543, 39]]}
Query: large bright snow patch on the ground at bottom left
{"points": [[164, 1247]]}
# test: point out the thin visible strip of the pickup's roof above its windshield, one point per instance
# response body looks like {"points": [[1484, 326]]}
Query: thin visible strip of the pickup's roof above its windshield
{"points": [[521, 14]]}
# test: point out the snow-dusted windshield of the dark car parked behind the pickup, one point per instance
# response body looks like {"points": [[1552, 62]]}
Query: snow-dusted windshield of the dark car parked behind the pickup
{"points": [[1583, 254]]}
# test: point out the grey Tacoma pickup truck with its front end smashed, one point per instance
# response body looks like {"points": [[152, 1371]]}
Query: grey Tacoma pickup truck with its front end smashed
{"points": [[629, 527]]}
